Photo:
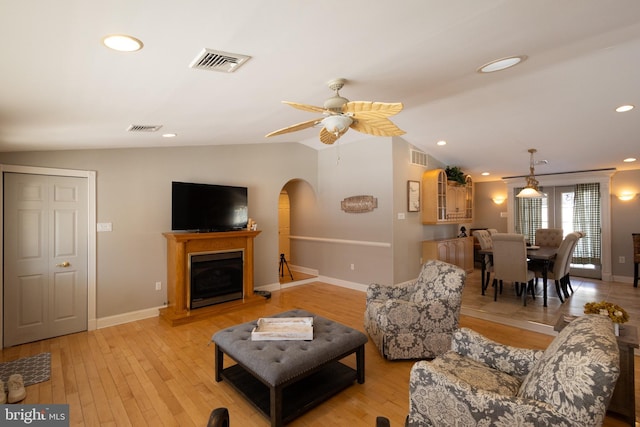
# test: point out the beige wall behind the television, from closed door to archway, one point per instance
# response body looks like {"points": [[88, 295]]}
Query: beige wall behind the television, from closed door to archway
{"points": [[134, 194]]}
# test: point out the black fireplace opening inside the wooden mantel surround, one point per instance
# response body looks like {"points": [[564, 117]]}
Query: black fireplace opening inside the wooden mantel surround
{"points": [[215, 278]]}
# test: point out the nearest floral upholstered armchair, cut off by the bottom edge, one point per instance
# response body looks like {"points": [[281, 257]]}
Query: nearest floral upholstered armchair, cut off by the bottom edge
{"points": [[484, 383]]}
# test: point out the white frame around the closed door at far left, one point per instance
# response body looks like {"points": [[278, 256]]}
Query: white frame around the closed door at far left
{"points": [[91, 233]]}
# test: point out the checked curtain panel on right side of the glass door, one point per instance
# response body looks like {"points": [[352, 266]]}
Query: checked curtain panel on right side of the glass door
{"points": [[586, 219]]}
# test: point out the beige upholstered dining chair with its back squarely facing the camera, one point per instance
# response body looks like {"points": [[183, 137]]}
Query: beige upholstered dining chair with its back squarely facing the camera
{"points": [[510, 264]]}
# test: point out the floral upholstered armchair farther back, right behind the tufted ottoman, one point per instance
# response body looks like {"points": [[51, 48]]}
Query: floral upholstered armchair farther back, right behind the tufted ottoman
{"points": [[416, 320]]}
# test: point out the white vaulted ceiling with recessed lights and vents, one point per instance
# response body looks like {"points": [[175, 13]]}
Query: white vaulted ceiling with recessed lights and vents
{"points": [[62, 89]]}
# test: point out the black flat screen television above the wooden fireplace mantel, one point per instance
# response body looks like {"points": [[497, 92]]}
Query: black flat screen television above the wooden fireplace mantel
{"points": [[208, 207]]}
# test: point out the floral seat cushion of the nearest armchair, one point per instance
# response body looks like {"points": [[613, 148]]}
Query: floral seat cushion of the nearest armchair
{"points": [[477, 374]]}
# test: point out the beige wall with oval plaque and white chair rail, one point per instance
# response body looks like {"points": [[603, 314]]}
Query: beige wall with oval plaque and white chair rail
{"points": [[331, 240]]}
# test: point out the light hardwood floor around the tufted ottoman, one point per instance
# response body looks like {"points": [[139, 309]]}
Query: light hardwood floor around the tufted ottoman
{"points": [[149, 373]]}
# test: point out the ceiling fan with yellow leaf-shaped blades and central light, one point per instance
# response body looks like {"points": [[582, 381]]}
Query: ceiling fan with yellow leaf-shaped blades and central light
{"points": [[341, 114]]}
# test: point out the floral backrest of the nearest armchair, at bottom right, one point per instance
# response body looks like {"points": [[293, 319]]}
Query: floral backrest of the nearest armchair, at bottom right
{"points": [[580, 365]]}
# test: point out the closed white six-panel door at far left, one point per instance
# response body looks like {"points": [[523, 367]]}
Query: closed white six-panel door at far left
{"points": [[45, 256]]}
